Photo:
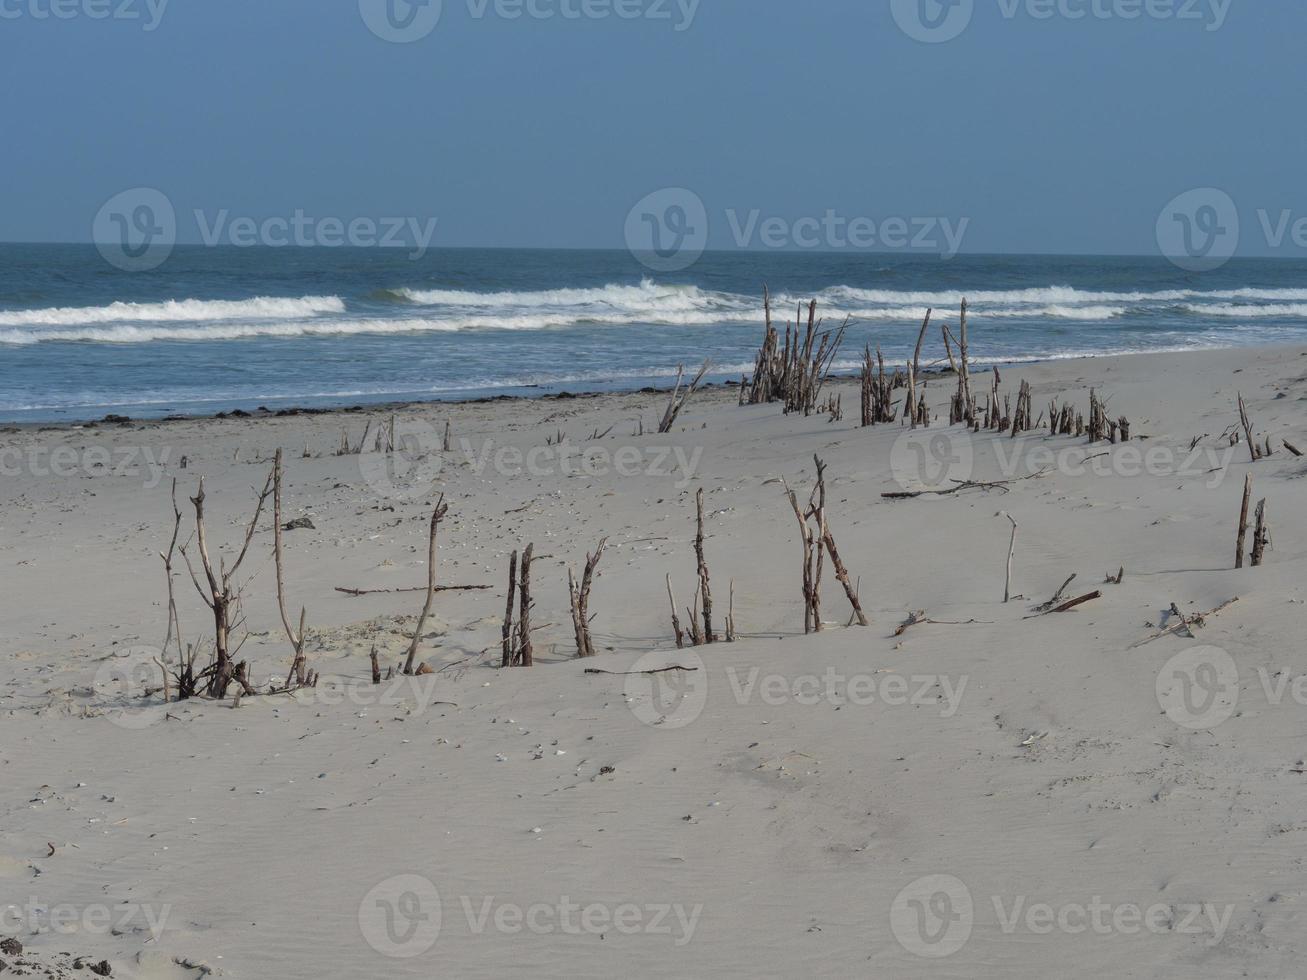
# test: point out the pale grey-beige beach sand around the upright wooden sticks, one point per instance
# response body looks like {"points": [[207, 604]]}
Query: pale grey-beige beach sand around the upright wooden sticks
{"points": [[1031, 796]]}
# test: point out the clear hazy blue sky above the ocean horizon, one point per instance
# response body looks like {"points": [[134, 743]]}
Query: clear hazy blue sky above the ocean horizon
{"points": [[1031, 126]]}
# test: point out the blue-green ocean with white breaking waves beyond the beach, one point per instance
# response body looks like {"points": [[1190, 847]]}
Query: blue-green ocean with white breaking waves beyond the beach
{"points": [[229, 329]]}
